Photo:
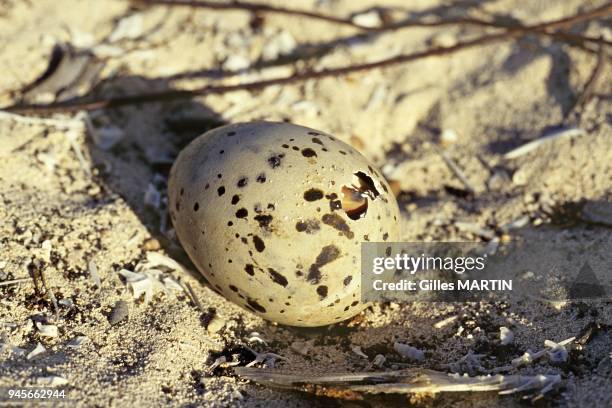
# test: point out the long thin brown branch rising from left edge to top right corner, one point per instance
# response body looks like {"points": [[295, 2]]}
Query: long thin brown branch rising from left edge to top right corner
{"points": [[77, 105]]}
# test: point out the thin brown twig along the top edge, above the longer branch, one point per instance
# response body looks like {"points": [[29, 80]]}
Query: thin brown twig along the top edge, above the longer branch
{"points": [[408, 23]]}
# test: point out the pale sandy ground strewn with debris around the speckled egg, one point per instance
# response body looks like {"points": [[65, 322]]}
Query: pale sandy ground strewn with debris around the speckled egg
{"points": [[63, 215]]}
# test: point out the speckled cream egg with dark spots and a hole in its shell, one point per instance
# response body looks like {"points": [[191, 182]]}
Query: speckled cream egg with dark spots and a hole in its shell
{"points": [[274, 214]]}
